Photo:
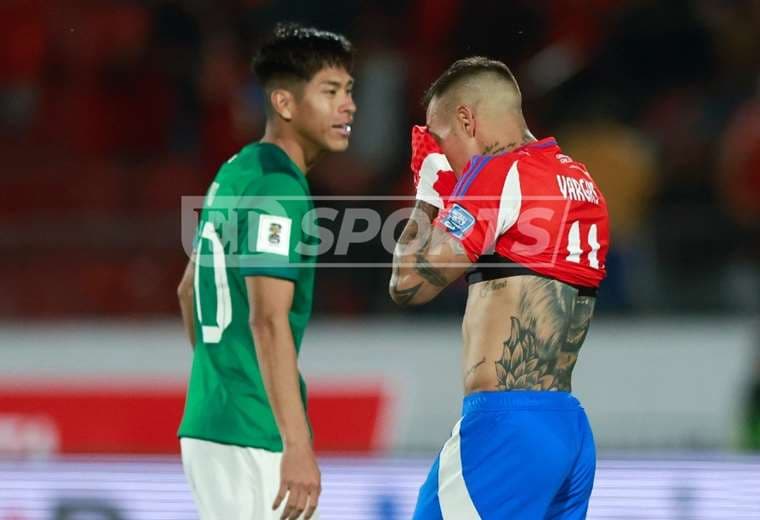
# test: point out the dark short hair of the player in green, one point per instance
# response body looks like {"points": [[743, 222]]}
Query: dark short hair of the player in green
{"points": [[296, 53]]}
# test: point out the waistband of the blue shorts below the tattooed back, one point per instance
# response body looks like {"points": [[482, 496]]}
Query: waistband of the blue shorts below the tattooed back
{"points": [[519, 400]]}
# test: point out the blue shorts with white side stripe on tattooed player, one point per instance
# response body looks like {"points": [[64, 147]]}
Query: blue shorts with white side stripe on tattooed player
{"points": [[513, 455]]}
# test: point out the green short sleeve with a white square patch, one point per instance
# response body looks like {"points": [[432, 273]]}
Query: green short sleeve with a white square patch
{"points": [[270, 231]]}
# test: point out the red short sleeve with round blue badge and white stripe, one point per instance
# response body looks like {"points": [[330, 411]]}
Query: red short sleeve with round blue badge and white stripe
{"points": [[484, 205]]}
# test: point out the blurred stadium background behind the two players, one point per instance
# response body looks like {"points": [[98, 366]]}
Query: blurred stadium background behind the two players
{"points": [[112, 110]]}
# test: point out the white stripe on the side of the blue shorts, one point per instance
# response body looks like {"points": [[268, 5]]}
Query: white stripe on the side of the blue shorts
{"points": [[453, 496]]}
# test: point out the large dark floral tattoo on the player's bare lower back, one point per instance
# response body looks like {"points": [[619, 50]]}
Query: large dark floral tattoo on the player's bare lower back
{"points": [[545, 338]]}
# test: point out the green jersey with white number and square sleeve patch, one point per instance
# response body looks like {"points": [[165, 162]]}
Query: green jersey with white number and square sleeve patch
{"points": [[252, 223]]}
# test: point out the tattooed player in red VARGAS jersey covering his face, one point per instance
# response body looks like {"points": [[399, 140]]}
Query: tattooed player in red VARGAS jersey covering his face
{"points": [[529, 227]]}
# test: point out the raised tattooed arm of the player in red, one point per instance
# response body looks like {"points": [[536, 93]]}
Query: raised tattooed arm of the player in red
{"points": [[425, 260]]}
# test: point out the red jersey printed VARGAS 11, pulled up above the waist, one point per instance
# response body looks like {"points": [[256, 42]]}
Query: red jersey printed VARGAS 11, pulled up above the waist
{"points": [[535, 208]]}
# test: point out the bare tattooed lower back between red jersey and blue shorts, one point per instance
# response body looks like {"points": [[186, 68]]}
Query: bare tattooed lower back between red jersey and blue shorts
{"points": [[523, 333]]}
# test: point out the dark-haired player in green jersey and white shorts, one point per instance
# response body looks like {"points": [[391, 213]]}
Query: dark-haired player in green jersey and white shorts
{"points": [[246, 295]]}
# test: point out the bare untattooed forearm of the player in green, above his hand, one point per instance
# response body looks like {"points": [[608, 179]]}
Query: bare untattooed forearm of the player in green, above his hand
{"points": [[276, 354]]}
